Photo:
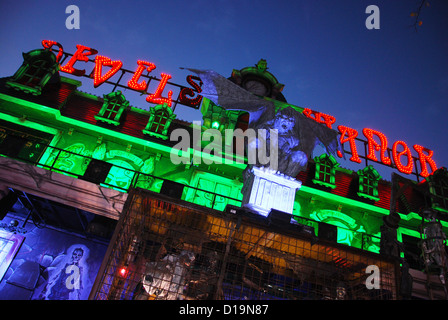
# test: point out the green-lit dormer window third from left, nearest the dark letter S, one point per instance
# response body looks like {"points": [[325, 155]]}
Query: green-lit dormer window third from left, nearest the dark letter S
{"points": [[159, 121]]}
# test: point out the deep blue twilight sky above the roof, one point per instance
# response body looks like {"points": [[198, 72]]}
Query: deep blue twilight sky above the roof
{"points": [[393, 79]]}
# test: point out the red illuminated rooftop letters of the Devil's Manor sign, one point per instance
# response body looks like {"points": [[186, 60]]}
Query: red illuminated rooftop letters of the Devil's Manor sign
{"points": [[187, 97]]}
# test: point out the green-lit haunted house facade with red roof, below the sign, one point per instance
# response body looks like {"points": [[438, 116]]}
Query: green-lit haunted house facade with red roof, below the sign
{"points": [[87, 183]]}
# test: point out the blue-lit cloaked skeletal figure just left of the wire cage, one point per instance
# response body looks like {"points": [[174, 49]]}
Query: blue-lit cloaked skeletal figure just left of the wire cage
{"points": [[67, 275]]}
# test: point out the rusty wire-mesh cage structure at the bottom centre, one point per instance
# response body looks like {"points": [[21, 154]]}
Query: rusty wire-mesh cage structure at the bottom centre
{"points": [[165, 249]]}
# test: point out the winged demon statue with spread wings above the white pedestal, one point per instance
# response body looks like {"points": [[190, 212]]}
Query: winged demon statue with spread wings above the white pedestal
{"points": [[297, 134]]}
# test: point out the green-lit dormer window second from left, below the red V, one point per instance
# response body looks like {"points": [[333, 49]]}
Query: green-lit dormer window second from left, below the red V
{"points": [[114, 105]]}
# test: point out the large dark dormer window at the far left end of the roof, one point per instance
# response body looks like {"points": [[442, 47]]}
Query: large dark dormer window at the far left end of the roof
{"points": [[38, 67]]}
